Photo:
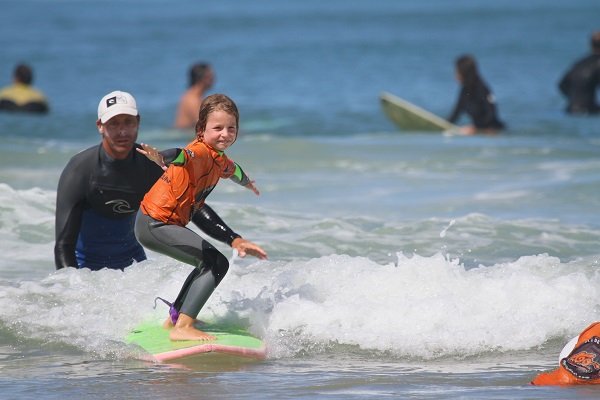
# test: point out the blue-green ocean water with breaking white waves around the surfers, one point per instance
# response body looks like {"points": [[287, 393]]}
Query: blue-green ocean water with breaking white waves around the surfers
{"points": [[401, 264]]}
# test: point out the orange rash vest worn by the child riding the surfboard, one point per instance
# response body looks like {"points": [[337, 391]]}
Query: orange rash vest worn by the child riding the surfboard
{"points": [[184, 187]]}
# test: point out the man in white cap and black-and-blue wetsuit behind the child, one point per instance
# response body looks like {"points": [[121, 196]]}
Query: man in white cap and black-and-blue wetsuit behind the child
{"points": [[100, 190]]}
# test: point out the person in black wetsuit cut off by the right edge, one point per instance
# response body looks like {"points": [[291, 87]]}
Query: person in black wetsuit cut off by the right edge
{"points": [[582, 80]]}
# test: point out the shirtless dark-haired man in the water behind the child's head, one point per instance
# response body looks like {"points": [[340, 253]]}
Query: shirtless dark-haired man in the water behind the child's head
{"points": [[201, 80]]}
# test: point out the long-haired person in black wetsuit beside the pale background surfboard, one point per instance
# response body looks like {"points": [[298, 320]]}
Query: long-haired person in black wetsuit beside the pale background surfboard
{"points": [[475, 99]]}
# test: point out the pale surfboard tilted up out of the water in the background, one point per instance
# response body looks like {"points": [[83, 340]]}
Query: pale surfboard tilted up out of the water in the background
{"points": [[409, 117]]}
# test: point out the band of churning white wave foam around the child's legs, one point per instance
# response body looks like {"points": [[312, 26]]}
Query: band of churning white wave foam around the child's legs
{"points": [[424, 307]]}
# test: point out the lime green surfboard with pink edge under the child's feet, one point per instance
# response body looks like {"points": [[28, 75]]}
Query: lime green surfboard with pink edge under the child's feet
{"points": [[154, 340]]}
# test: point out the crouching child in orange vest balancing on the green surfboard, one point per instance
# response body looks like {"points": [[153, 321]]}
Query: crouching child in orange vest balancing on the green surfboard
{"points": [[169, 205]]}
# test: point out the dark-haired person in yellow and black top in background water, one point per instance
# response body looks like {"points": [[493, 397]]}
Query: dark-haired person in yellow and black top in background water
{"points": [[21, 96]]}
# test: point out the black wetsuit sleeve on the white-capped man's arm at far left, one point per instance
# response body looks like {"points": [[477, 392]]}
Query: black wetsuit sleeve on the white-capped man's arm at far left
{"points": [[70, 197]]}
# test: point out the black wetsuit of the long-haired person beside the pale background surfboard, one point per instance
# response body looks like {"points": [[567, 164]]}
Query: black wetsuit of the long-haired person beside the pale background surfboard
{"points": [[477, 101]]}
